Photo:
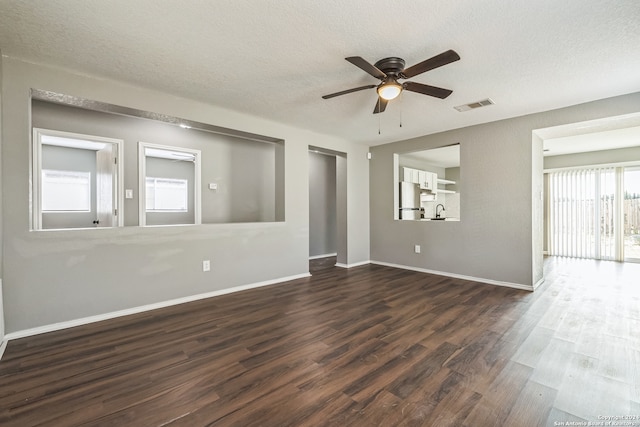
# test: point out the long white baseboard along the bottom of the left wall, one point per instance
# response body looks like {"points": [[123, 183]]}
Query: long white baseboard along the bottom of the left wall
{"points": [[134, 310]]}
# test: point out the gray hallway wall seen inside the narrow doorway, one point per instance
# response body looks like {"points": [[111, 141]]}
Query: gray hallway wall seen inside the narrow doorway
{"points": [[322, 204]]}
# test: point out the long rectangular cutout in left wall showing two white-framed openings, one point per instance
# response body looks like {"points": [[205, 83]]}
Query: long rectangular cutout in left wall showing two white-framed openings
{"points": [[241, 175]]}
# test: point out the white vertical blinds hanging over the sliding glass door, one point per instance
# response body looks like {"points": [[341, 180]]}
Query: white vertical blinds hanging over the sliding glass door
{"points": [[582, 213]]}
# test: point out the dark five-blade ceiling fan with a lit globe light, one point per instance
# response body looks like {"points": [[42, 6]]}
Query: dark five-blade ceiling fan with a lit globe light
{"points": [[390, 70]]}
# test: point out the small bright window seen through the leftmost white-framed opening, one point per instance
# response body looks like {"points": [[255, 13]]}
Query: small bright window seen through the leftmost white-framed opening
{"points": [[66, 191]]}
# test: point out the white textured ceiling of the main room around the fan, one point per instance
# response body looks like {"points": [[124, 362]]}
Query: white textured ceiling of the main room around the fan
{"points": [[276, 58]]}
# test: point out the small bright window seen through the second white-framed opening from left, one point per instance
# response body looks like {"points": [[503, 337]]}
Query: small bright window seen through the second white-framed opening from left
{"points": [[166, 194]]}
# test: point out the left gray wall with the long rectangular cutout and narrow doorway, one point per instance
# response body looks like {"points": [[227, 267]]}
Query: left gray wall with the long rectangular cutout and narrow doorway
{"points": [[58, 276]]}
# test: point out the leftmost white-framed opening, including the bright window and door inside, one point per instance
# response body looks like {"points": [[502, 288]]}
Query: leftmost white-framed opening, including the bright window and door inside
{"points": [[76, 180]]}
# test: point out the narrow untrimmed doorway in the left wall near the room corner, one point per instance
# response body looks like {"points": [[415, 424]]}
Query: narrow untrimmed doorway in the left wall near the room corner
{"points": [[327, 205]]}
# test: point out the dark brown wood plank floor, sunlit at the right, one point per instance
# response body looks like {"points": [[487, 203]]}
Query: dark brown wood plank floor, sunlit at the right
{"points": [[368, 346]]}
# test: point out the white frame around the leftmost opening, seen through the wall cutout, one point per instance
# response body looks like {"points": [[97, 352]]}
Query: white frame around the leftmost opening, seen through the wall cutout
{"points": [[36, 174]]}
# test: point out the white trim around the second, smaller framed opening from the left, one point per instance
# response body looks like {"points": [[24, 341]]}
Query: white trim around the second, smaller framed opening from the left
{"points": [[142, 173]]}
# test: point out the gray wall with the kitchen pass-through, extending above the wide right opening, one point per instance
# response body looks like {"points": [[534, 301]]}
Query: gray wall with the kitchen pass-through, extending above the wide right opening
{"points": [[499, 237]]}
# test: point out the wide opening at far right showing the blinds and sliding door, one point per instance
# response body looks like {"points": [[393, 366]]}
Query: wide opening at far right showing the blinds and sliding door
{"points": [[592, 188]]}
